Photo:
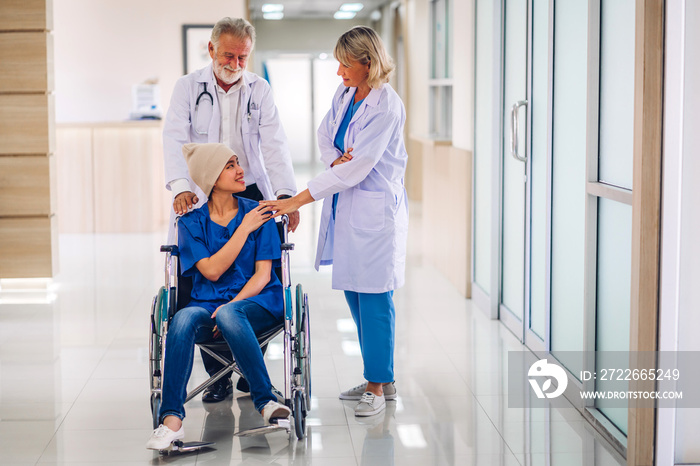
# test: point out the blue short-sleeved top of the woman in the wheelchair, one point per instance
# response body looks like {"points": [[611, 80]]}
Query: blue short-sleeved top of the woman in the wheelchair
{"points": [[199, 237]]}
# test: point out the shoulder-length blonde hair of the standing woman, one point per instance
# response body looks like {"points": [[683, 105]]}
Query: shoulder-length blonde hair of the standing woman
{"points": [[363, 44]]}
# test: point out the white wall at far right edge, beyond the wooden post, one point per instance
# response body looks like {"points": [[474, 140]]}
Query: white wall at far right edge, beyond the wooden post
{"points": [[678, 430]]}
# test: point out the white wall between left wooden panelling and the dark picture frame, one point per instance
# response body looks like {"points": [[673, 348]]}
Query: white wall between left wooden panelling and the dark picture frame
{"points": [[103, 47]]}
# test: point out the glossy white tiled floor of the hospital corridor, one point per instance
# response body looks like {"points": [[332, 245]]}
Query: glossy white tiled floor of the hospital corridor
{"points": [[74, 364]]}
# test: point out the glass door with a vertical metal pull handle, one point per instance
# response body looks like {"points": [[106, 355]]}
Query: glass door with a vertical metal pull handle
{"points": [[524, 162]]}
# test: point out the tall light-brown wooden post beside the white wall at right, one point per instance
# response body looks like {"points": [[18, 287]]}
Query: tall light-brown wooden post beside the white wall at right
{"points": [[646, 221]]}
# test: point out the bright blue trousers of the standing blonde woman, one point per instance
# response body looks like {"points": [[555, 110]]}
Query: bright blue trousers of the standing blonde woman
{"points": [[374, 316]]}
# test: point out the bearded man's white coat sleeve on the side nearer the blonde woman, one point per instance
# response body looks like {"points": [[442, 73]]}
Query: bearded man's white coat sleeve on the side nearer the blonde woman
{"points": [[274, 147]]}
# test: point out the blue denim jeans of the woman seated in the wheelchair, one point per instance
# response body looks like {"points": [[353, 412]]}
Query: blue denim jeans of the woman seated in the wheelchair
{"points": [[239, 323]]}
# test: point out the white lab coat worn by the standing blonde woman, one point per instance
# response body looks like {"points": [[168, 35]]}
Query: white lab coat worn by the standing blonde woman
{"points": [[366, 243]]}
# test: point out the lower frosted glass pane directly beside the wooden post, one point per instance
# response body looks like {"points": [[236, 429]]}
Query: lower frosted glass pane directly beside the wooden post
{"points": [[613, 299]]}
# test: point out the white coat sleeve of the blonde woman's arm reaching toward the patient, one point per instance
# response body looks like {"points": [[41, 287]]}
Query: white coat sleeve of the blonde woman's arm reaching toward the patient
{"points": [[369, 146]]}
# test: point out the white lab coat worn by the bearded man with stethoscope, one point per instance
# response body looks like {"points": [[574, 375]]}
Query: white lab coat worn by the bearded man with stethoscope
{"points": [[264, 140]]}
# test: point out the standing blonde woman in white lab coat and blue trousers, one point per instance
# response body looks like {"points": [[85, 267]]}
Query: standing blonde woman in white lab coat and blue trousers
{"points": [[365, 212]]}
